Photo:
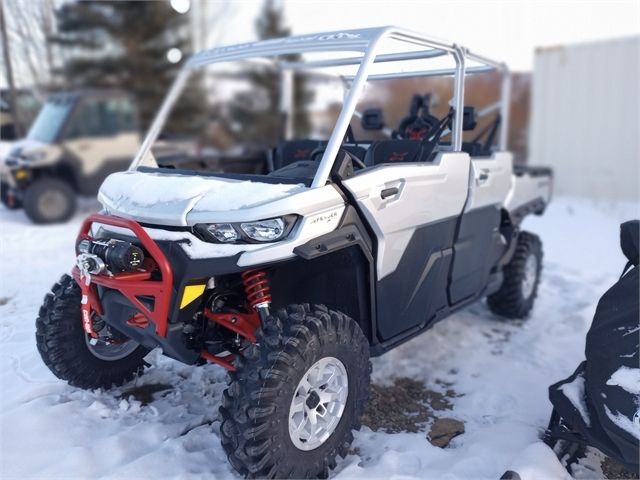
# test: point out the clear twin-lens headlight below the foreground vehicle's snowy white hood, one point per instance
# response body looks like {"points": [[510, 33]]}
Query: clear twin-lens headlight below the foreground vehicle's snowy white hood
{"points": [[261, 231]]}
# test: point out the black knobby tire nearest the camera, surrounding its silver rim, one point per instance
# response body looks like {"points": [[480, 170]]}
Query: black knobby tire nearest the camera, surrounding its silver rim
{"points": [[256, 407]]}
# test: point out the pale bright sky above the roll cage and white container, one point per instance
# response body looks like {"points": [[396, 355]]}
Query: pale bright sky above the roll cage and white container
{"points": [[508, 30]]}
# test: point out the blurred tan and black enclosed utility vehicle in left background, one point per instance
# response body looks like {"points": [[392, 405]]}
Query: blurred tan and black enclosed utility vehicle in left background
{"points": [[77, 140]]}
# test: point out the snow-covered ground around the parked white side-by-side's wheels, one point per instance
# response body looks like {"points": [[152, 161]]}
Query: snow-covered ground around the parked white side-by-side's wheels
{"points": [[500, 370]]}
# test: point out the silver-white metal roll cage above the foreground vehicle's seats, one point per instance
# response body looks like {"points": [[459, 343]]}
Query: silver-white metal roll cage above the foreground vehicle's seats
{"points": [[367, 41]]}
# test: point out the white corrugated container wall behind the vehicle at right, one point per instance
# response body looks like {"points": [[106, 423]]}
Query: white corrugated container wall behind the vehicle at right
{"points": [[585, 118]]}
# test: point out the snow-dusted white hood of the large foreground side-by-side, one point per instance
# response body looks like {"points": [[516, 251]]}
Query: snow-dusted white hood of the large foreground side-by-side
{"points": [[166, 199]]}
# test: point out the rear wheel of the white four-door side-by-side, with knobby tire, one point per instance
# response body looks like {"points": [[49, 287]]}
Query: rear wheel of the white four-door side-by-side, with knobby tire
{"points": [[521, 278]]}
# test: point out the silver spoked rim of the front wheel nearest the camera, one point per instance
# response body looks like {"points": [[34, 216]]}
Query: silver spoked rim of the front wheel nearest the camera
{"points": [[318, 403]]}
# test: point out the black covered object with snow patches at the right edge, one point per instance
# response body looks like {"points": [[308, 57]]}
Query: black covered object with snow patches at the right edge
{"points": [[587, 409]]}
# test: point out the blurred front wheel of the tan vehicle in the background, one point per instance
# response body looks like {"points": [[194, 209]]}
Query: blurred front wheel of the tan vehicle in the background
{"points": [[49, 200]]}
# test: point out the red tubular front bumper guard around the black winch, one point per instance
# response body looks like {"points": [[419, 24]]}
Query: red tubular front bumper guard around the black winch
{"points": [[134, 284]]}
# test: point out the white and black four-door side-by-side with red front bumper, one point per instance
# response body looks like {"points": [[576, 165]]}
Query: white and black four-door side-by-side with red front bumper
{"points": [[291, 280]]}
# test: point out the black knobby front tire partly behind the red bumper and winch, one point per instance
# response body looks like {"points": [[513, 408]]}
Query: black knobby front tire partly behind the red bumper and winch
{"points": [[63, 346]]}
